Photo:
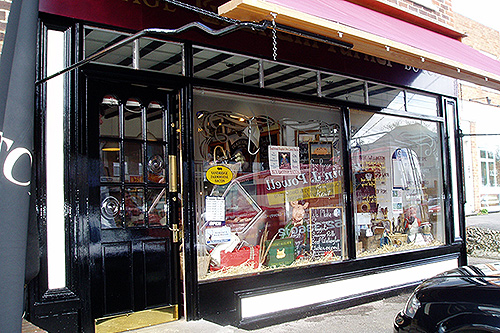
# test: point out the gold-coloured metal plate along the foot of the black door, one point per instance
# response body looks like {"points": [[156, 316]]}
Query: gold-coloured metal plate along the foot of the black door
{"points": [[136, 320]]}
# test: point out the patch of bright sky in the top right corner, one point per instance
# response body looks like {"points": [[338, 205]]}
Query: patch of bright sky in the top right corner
{"points": [[483, 11]]}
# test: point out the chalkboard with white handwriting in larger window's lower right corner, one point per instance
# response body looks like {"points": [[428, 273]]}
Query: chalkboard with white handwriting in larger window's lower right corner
{"points": [[326, 230]]}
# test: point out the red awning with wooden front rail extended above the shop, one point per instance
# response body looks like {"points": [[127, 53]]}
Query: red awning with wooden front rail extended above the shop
{"points": [[375, 33]]}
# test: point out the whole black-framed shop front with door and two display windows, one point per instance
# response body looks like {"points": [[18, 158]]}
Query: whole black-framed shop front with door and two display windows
{"points": [[244, 178]]}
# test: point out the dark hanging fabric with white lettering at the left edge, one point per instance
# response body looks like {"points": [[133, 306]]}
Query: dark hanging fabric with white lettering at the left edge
{"points": [[17, 77]]}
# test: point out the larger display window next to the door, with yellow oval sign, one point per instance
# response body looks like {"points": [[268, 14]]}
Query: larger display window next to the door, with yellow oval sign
{"points": [[269, 182]]}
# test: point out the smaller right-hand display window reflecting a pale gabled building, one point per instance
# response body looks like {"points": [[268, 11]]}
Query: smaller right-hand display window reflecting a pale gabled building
{"points": [[397, 182]]}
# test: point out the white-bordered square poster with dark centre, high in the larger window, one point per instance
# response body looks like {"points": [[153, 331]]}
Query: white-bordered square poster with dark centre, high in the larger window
{"points": [[284, 160]]}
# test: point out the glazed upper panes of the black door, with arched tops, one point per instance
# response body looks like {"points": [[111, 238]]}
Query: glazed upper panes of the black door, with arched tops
{"points": [[126, 155]]}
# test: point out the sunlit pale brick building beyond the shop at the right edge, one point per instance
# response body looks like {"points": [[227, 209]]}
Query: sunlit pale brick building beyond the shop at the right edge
{"points": [[478, 112]]}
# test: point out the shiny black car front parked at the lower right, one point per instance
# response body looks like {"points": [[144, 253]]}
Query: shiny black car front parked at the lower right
{"points": [[465, 299]]}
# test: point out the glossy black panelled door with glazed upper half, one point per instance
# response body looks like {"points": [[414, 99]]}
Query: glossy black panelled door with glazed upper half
{"points": [[134, 257]]}
